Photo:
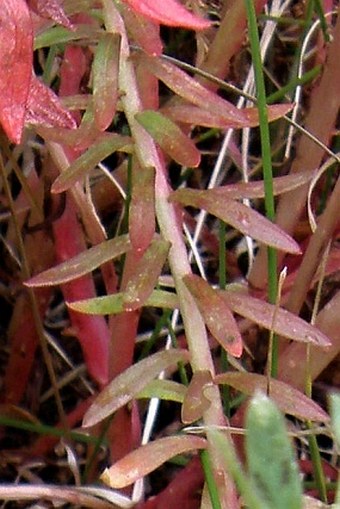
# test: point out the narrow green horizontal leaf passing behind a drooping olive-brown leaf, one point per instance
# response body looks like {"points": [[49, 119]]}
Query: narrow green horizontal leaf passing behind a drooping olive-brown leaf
{"points": [[114, 304]]}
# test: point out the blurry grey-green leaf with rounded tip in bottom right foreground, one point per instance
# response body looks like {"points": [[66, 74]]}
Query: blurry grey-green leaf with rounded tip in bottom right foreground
{"points": [[271, 463]]}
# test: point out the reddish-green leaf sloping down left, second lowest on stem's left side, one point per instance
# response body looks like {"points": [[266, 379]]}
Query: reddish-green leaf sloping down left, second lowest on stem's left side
{"points": [[129, 383]]}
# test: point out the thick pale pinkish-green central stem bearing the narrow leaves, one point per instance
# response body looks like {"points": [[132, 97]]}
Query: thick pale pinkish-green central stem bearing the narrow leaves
{"points": [[171, 230]]}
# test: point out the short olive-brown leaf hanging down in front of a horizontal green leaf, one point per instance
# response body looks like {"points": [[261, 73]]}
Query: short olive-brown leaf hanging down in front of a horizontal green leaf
{"points": [[141, 284]]}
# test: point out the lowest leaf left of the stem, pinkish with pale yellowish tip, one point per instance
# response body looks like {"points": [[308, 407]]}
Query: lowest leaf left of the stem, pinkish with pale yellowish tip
{"points": [[147, 458]]}
